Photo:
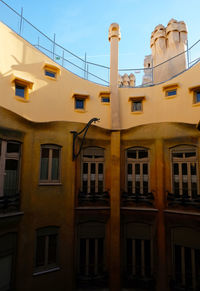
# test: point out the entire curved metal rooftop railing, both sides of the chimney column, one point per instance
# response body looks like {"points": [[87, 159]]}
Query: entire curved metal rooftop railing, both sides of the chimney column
{"points": [[81, 66]]}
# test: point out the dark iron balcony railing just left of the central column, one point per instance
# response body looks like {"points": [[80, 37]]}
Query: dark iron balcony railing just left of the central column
{"points": [[94, 198]]}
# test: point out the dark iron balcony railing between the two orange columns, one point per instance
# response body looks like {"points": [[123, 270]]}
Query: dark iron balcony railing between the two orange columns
{"points": [[147, 198]]}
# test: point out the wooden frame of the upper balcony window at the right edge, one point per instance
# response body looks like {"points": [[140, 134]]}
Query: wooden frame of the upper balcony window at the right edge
{"points": [[184, 149]]}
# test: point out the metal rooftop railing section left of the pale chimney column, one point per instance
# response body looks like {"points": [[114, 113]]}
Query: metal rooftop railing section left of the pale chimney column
{"points": [[80, 66]]}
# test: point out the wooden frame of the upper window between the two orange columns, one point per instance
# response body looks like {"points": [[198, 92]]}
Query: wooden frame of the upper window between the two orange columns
{"points": [[140, 162]]}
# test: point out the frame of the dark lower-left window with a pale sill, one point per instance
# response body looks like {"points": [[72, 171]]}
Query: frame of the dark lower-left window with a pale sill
{"points": [[46, 232]]}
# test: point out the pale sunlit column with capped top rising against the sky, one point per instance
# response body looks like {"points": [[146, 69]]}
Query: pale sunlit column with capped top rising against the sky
{"points": [[114, 37]]}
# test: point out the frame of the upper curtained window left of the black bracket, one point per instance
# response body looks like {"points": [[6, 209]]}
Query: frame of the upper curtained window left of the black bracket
{"points": [[50, 181]]}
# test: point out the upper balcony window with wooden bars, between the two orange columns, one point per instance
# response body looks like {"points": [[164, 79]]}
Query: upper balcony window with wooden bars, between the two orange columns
{"points": [[137, 177]]}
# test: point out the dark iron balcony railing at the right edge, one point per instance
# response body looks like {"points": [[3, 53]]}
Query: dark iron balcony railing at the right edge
{"points": [[183, 200]]}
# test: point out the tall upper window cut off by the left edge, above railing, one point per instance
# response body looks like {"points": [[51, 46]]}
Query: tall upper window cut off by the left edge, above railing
{"points": [[9, 167]]}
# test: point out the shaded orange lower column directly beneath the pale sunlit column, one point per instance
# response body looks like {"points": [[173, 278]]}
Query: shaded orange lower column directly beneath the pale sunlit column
{"points": [[115, 212]]}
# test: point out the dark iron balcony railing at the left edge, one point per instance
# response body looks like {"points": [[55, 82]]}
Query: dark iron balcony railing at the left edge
{"points": [[10, 203]]}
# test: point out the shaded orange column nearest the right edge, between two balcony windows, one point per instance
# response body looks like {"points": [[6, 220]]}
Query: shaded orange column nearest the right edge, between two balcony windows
{"points": [[161, 277]]}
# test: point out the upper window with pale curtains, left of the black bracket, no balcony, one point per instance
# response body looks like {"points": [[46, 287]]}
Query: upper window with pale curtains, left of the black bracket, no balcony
{"points": [[50, 164]]}
